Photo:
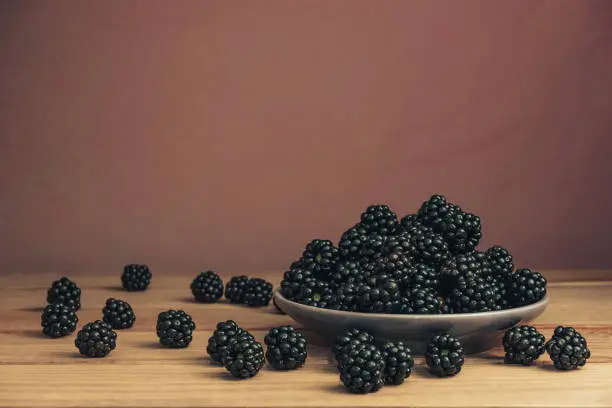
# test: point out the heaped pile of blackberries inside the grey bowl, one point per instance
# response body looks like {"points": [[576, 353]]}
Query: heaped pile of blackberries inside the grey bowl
{"points": [[427, 262]]}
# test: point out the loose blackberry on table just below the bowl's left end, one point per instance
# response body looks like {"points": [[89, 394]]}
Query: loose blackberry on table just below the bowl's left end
{"points": [[286, 348]]}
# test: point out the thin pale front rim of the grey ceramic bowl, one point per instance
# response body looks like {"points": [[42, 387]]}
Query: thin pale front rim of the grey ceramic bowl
{"points": [[388, 316]]}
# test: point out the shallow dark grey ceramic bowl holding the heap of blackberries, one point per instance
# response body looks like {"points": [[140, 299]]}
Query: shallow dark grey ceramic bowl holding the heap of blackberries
{"points": [[477, 331]]}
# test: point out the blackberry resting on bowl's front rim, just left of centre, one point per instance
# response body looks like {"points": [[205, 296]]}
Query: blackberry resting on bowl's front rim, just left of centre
{"points": [[377, 295]]}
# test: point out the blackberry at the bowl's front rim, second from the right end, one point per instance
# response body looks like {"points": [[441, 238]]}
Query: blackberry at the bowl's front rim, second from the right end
{"points": [[472, 295]]}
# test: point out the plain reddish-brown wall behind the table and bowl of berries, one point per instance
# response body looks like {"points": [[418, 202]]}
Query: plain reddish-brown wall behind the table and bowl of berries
{"points": [[226, 134]]}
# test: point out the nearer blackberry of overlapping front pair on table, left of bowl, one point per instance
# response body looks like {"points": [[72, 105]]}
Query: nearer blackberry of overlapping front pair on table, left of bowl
{"points": [[245, 358]]}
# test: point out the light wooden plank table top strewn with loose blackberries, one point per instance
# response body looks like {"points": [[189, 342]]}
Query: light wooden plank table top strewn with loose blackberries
{"points": [[40, 372]]}
